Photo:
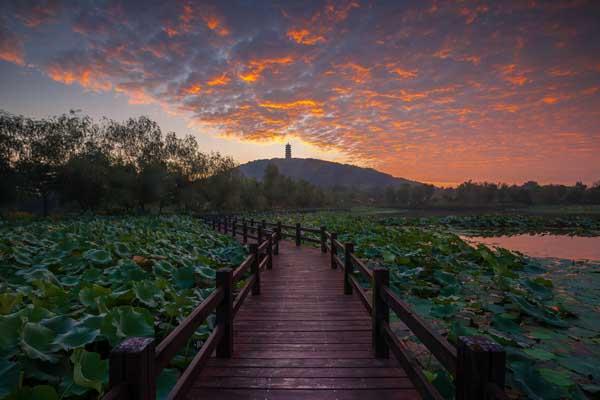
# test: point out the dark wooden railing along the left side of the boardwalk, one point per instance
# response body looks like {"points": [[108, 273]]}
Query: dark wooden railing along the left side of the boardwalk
{"points": [[135, 364]]}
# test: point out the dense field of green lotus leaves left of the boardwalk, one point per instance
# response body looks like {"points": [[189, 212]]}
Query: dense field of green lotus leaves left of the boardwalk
{"points": [[71, 290]]}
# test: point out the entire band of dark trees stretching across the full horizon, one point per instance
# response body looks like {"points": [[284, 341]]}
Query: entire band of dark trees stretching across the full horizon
{"points": [[70, 162]]}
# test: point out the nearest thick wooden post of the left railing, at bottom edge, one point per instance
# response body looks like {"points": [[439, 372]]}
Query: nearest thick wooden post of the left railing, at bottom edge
{"points": [[132, 364]]}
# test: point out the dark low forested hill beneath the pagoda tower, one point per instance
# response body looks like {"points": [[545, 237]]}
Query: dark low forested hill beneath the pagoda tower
{"points": [[324, 173]]}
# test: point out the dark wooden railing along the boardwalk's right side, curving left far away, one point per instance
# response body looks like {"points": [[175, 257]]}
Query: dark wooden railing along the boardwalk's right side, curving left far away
{"points": [[477, 363]]}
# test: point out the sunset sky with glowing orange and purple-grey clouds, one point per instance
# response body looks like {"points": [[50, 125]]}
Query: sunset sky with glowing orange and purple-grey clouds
{"points": [[438, 92]]}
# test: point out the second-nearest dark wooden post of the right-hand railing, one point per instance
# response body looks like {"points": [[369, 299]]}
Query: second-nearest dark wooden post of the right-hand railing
{"points": [[381, 312]]}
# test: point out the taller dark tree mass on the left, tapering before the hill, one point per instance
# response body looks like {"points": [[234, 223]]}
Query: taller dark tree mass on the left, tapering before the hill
{"points": [[70, 162]]}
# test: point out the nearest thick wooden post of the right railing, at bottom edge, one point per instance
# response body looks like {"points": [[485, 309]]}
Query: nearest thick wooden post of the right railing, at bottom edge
{"points": [[481, 362]]}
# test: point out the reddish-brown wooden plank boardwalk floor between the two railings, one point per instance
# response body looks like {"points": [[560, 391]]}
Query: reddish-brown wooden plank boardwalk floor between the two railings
{"points": [[302, 338]]}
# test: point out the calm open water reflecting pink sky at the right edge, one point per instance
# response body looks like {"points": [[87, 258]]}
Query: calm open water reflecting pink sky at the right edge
{"points": [[559, 246]]}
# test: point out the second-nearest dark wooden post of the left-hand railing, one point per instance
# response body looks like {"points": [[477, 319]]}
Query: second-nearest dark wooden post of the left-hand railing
{"points": [[225, 312]]}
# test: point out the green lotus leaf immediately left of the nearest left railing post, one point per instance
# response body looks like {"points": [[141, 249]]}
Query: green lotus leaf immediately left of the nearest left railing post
{"points": [[89, 370]]}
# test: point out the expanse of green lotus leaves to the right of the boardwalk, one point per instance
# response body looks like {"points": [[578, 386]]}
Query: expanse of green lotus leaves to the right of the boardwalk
{"points": [[546, 312]]}
